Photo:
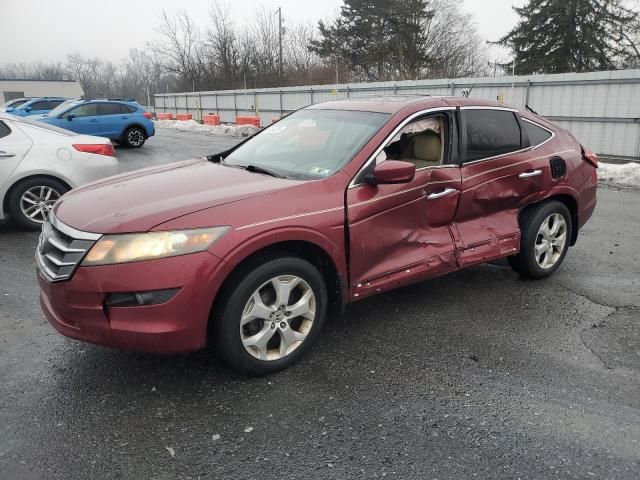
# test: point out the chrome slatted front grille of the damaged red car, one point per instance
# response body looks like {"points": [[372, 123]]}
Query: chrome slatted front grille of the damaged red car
{"points": [[61, 249]]}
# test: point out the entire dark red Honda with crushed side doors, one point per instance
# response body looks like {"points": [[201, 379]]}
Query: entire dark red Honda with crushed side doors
{"points": [[254, 247]]}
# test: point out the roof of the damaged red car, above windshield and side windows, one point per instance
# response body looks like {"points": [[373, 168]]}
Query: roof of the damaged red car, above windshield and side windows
{"points": [[395, 103]]}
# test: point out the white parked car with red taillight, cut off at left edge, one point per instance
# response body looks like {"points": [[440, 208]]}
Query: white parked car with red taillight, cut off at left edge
{"points": [[39, 163]]}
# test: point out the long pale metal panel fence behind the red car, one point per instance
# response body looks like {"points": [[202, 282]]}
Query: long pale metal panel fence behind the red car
{"points": [[602, 109]]}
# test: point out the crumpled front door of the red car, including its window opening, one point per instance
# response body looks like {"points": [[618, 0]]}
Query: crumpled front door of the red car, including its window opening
{"points": [[400, 233]]}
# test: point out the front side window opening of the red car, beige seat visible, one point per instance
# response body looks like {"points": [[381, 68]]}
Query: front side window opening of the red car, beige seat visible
{"points": [[420, 142]]}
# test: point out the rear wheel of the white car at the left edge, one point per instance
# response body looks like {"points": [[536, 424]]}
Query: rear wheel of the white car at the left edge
{"points": [[31, 200]]}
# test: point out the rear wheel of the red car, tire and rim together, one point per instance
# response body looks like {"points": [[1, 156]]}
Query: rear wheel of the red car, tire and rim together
{"points": [[546, 234]]}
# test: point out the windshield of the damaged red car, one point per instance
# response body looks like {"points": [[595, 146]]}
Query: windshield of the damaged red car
{"points": [[308, 144]]}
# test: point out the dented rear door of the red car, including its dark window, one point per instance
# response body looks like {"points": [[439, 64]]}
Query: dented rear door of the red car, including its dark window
{"points": [[500, 175]]}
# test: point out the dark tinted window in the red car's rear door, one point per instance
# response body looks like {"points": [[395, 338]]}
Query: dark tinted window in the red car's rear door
{"points": [[490, 133]]}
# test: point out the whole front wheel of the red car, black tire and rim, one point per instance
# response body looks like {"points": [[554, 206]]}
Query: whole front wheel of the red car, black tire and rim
{"points": [[274, 338]]}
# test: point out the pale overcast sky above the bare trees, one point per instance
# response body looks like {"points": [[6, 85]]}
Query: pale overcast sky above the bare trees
{"points": [[45, 30]]}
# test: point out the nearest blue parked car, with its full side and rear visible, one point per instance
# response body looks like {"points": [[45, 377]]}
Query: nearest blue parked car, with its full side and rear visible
{"points": [[122, 121]]}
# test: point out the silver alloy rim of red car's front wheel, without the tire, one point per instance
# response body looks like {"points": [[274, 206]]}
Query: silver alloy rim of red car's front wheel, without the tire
{"points": [[277, 317]]}
